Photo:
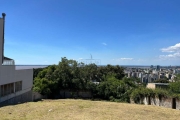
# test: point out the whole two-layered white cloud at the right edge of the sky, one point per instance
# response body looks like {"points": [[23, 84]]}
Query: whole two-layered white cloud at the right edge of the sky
{"points": [[175, 50]]}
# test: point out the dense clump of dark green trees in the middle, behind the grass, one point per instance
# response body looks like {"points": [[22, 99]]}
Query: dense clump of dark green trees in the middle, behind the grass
{"points": [[74, 76]]}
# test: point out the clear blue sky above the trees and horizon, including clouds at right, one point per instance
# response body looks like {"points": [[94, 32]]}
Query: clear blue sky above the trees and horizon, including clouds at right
{"points": [[123, 32]]}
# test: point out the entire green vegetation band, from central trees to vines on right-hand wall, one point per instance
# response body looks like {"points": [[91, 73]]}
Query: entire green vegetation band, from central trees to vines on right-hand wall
{"points": [[104, 82]]}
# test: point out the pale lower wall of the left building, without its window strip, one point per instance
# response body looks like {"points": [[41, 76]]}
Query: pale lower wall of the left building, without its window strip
{"points": [[8, 74]]}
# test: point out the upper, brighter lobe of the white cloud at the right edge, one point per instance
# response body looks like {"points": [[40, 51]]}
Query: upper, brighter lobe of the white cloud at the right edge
{"points": [[175, 48]]}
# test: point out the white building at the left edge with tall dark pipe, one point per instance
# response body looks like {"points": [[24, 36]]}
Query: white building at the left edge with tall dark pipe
{"points": [[15, 85]]}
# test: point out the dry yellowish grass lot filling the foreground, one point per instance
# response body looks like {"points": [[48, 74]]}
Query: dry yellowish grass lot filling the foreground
{"points": [[68, 109]]}
